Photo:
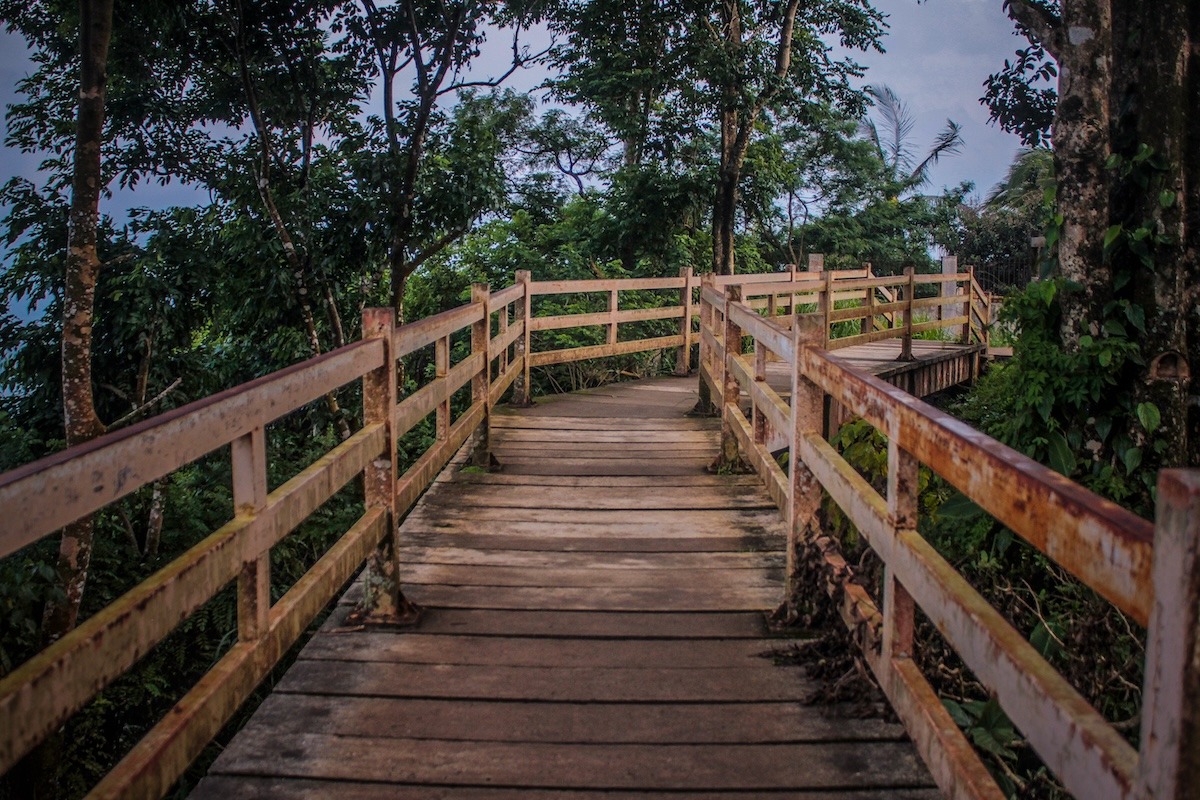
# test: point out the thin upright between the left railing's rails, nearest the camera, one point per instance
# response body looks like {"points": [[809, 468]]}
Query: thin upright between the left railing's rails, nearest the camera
{"points": [[249, 455]]}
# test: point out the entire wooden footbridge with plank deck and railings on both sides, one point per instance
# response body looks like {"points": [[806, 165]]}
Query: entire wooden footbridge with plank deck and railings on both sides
{"points": [[589, 618]]}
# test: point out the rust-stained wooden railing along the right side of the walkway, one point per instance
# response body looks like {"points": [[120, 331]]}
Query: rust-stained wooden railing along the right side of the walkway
{"points": [[1149, 572]]}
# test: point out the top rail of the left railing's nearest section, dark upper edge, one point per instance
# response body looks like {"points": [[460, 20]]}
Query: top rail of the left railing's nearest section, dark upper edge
{"points": [[67, 486]]}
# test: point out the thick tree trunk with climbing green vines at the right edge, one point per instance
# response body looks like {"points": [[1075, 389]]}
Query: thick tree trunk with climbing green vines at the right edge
{"points": [[1126, 243]]}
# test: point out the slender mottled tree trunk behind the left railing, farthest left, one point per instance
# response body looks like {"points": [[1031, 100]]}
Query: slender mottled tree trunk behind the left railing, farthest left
{"points": [[80, 294]]}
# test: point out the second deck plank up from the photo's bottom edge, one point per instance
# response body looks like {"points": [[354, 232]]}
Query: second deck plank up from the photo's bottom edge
{"points": [[553, 766]]}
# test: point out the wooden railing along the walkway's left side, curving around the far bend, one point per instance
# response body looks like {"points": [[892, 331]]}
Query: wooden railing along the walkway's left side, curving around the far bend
{"points": [[40, 498]]}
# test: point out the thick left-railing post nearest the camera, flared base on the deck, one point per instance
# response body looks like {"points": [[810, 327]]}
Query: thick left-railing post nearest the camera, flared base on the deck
{"points": [[382, 598]]}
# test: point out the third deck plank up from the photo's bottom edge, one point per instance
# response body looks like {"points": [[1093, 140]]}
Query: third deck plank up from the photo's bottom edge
{"points": [[547, 723]]}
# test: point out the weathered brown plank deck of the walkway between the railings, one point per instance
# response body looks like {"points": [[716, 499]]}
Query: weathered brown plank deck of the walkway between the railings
{"points": [[595, 628]]}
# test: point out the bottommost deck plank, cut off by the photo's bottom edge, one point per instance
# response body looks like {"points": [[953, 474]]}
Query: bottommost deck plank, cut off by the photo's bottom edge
{"points": [[250, 787]]}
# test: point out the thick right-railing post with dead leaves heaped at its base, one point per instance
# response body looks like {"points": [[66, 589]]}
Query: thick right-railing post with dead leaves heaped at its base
{"points": [[805, 491]]}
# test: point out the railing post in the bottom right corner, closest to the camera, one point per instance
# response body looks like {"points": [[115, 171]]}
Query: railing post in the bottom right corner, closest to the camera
{"points": [[1169, 761]]}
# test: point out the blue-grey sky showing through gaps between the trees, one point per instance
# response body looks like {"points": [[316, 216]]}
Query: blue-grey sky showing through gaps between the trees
{"points": [[938, 56]]}
